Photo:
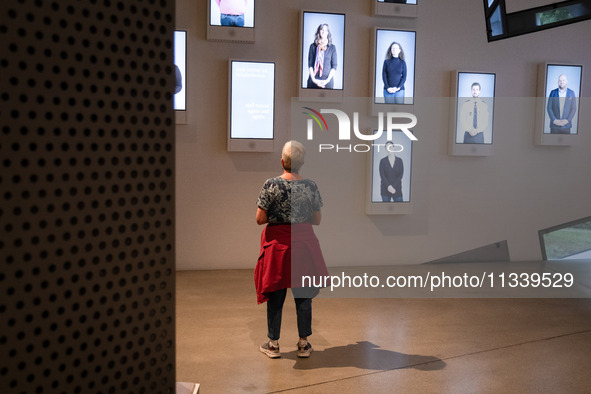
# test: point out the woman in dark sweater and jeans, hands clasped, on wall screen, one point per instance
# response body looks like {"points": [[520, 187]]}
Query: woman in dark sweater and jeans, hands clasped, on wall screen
{"points": [[394, 74]]}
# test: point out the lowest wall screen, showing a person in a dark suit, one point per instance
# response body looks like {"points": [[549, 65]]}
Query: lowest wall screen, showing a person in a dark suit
{"points": [[389, 175]]}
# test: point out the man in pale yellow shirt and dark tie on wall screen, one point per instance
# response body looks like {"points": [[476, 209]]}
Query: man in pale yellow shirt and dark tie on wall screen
{"points": [[473, 117]]}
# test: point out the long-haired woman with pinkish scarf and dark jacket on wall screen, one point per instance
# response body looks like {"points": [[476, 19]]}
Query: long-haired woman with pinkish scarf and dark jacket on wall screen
{"points": [[322, 60]]}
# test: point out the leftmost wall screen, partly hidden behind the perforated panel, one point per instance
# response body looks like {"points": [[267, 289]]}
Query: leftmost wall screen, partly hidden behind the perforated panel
{"points": [[180, 70]]}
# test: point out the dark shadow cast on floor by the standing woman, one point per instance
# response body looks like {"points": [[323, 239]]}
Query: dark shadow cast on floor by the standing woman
{"points": [[364, 355]]}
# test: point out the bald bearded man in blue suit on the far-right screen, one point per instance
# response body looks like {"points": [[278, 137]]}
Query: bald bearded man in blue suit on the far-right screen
{"points": [[561, 107]]}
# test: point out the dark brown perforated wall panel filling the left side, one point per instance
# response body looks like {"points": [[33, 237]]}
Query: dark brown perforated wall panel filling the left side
{"points": [[87, 196]]}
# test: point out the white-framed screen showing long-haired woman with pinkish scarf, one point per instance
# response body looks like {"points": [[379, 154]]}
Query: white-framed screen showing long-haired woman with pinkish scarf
{"points": [[322, 51]]}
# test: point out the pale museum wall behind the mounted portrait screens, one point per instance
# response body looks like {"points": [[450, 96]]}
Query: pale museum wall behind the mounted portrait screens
{"points": [[459, 203]]}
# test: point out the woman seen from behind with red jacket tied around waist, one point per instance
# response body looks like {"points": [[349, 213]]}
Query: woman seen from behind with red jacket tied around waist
{"points": [[289, 205]]}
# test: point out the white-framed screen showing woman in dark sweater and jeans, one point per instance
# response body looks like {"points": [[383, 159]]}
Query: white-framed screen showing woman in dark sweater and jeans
{"points": [[392, 76]]}
